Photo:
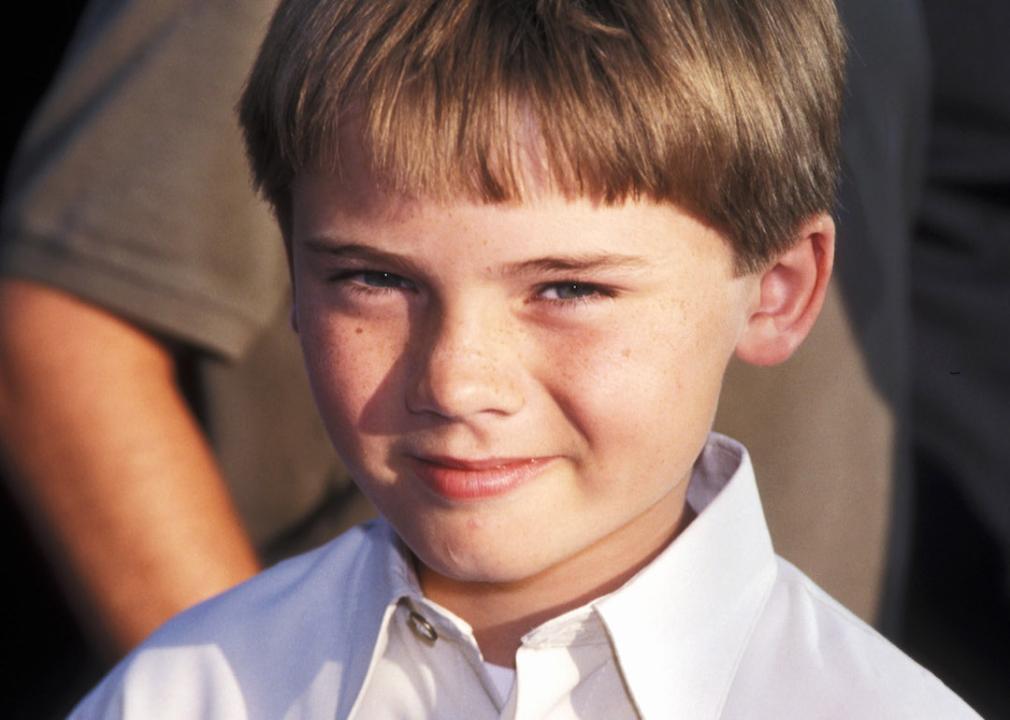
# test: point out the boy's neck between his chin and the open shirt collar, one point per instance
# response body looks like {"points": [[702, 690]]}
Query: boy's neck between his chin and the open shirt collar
{"points": [[501, 613]]}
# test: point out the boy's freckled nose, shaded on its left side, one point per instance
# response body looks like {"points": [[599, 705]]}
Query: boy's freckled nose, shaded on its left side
{"points": [[465, 366]]}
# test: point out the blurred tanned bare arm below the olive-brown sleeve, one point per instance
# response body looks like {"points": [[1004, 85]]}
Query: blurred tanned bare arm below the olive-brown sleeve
{"points": [[111, 465]]}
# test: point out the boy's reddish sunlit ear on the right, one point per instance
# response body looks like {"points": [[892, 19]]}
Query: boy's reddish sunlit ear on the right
{"points": [[790, 295]]}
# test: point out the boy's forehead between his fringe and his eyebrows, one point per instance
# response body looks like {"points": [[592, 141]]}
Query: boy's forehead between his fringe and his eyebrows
{"points": [[548, 234]]}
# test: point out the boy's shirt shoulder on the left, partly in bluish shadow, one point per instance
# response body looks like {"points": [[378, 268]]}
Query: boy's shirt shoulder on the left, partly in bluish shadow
{"points": [[265, 644]]}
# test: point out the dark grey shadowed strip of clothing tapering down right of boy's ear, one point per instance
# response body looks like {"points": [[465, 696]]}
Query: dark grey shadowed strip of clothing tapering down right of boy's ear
{"points": [[884, 135]]}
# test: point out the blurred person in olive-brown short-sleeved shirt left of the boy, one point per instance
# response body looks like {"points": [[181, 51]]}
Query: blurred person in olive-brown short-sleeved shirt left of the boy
{"points": [[155, 423]]}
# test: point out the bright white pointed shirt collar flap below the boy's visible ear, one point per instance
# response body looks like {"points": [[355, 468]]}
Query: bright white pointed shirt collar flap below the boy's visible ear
{"points": [[681, 626]]}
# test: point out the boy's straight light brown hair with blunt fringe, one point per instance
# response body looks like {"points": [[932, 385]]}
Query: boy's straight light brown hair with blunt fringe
{"points": [[729, 109]]}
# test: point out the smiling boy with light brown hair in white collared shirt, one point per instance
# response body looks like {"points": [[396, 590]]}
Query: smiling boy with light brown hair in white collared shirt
{"points": [[526, 240]]}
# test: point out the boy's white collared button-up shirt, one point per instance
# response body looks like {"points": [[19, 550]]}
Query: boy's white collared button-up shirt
{"points": [[717, 627]]}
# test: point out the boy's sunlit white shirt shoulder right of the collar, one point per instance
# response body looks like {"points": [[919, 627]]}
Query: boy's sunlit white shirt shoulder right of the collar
{"points": [[810, 657]]}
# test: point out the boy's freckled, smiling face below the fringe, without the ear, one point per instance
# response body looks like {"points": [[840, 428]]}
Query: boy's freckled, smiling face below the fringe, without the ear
{"points": [[514, 386]]}
